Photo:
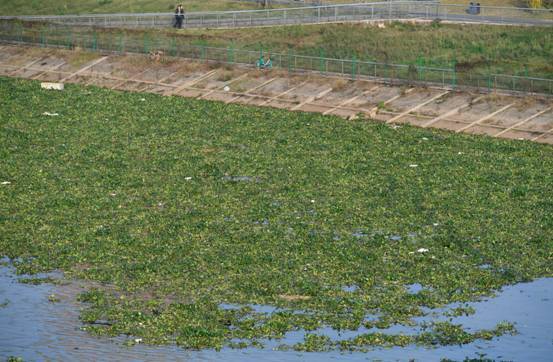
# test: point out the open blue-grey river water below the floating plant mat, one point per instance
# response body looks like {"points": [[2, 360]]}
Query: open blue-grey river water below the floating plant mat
{"points": [[36, 329]]}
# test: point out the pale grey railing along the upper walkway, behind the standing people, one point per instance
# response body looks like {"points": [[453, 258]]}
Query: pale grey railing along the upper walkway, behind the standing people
{"points": [[391, 10]]}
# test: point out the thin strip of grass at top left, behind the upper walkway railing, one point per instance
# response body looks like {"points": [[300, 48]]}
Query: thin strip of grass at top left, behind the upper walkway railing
{"points": [[61, 7]]}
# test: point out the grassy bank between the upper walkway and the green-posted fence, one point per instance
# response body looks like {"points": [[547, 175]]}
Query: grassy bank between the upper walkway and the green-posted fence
{"points": [[475, 49]]}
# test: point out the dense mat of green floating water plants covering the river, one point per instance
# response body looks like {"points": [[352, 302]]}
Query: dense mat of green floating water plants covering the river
{"points": [[142, 194]]}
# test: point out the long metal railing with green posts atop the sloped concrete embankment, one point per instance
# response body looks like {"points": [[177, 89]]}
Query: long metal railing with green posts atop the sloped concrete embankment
{"points": [[143, 42]]}
